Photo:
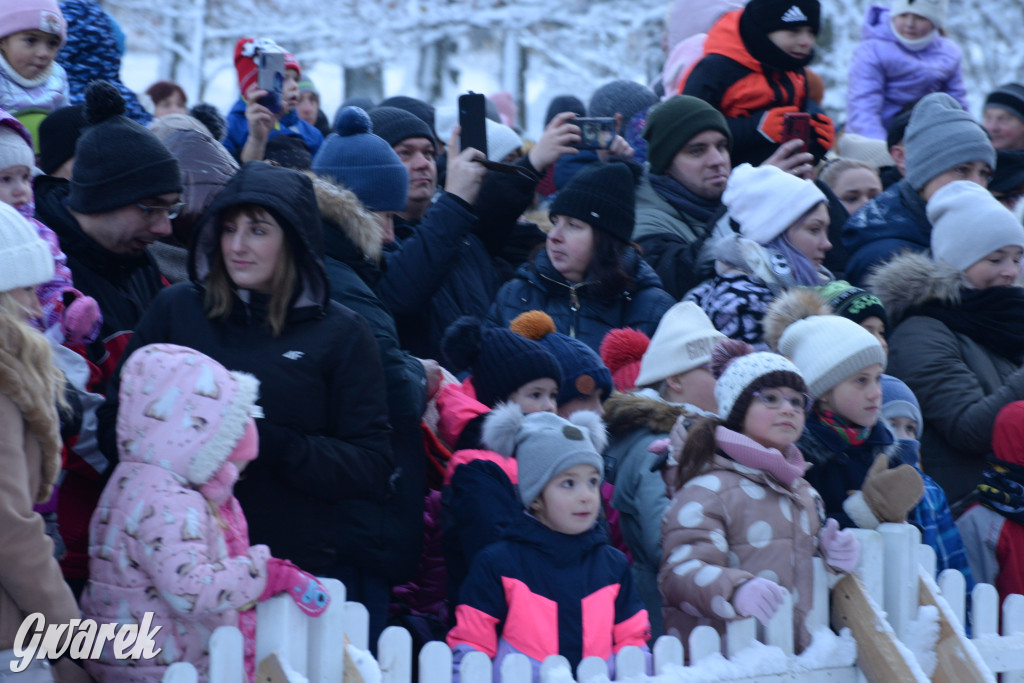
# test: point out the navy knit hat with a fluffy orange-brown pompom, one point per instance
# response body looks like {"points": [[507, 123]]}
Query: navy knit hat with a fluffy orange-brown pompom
{"points": [[583, 370]]}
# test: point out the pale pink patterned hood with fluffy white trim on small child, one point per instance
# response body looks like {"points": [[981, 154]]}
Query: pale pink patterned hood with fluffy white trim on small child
{"points": [[182, 411]]}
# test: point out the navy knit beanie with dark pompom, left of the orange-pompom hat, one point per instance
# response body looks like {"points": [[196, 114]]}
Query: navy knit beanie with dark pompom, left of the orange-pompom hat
{"points": [[500, 361]]}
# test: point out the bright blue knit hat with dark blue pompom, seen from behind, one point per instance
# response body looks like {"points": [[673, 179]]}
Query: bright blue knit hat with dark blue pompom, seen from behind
{"points": [[364, 163]]}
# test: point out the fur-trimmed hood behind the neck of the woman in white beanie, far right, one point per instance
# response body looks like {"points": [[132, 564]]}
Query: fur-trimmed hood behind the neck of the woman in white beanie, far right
{"points": [[913, 279]]}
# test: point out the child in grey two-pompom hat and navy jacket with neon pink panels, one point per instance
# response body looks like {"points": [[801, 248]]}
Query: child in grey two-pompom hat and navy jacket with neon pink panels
{"points": [[525, 593]]}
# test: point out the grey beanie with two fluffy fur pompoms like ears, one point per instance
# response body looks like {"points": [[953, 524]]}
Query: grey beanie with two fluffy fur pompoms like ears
{"points": [[544, 445]]}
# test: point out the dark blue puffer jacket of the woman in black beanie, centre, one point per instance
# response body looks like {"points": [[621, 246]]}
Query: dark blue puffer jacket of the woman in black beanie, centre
{"points": [[575, 310]]}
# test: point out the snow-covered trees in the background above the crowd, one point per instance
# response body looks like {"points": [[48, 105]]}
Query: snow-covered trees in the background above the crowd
{"points": [[435, 50]]}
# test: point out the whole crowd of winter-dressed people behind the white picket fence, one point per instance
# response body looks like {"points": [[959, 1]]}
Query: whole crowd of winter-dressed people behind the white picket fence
{"points": [[546, 399]]}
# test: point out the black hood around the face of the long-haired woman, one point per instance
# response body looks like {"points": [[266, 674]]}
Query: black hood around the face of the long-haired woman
{"points": [[290, 198]]}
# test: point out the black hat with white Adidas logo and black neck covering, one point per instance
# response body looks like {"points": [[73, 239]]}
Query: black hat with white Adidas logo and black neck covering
{"points": [[761, 18]]}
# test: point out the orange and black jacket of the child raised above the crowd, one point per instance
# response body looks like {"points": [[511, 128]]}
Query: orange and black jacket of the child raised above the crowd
{"points": [[743, 89]]}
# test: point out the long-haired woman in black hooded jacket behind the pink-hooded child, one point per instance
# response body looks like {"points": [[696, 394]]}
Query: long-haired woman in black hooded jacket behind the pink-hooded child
{"points": [[260, 303]]}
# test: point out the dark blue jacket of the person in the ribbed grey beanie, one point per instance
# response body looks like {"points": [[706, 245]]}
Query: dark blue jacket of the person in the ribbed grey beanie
{"points": [[893, 222]]}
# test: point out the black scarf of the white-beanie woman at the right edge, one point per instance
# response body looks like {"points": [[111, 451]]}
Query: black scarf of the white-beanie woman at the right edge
{"points": [[993, 318]]}
